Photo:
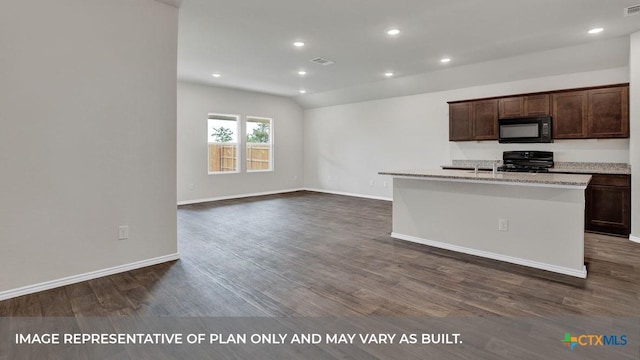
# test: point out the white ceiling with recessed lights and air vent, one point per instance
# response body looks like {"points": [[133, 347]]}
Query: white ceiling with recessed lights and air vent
{"points": [[250, 42]]}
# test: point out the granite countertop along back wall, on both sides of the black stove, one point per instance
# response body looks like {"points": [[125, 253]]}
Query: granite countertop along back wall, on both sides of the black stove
{"points": [[559, 166]]}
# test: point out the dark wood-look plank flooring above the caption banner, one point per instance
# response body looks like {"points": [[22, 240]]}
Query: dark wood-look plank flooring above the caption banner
{"points": [[312, 254]]}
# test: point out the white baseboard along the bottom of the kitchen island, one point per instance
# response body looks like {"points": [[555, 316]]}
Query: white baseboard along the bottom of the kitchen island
{"points": [[510, 259]]}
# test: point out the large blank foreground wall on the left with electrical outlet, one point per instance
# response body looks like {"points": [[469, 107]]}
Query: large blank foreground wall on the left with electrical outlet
{"points": [[87, 109]]}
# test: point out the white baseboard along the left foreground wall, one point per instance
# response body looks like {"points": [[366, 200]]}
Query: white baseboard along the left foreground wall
{"points": [[4, 295]]}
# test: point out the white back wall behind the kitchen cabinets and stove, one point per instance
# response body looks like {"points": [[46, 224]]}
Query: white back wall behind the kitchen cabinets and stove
{"points": [[346, 145]]}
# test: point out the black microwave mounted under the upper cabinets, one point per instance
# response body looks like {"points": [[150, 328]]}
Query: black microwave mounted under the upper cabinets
{"points": [[531, 129]]}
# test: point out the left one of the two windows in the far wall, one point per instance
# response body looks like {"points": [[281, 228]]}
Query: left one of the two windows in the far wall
{"points": [[223, 143]]}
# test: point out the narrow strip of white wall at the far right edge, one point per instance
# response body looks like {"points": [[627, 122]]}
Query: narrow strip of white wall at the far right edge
{"points": [[634, 149]]}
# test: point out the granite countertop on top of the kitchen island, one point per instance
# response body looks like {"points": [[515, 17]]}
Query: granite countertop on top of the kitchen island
{"points": [[511, 178]]}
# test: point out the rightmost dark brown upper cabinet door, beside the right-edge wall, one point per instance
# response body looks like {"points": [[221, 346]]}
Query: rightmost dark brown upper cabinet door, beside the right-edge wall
{"points": [[609, 112]]}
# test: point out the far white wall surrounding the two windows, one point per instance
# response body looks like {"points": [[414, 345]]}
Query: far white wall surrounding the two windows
{"points": [[195, 102]]}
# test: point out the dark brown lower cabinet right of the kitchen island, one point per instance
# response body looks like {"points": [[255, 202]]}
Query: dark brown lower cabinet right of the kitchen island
{"points": [[608, 204]]}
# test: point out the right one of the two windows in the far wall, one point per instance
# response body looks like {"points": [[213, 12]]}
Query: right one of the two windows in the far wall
{"points": [[259, 144]]}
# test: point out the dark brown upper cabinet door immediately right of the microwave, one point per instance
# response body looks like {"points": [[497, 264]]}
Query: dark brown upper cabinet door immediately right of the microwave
{"points": [[569, 114]]}
